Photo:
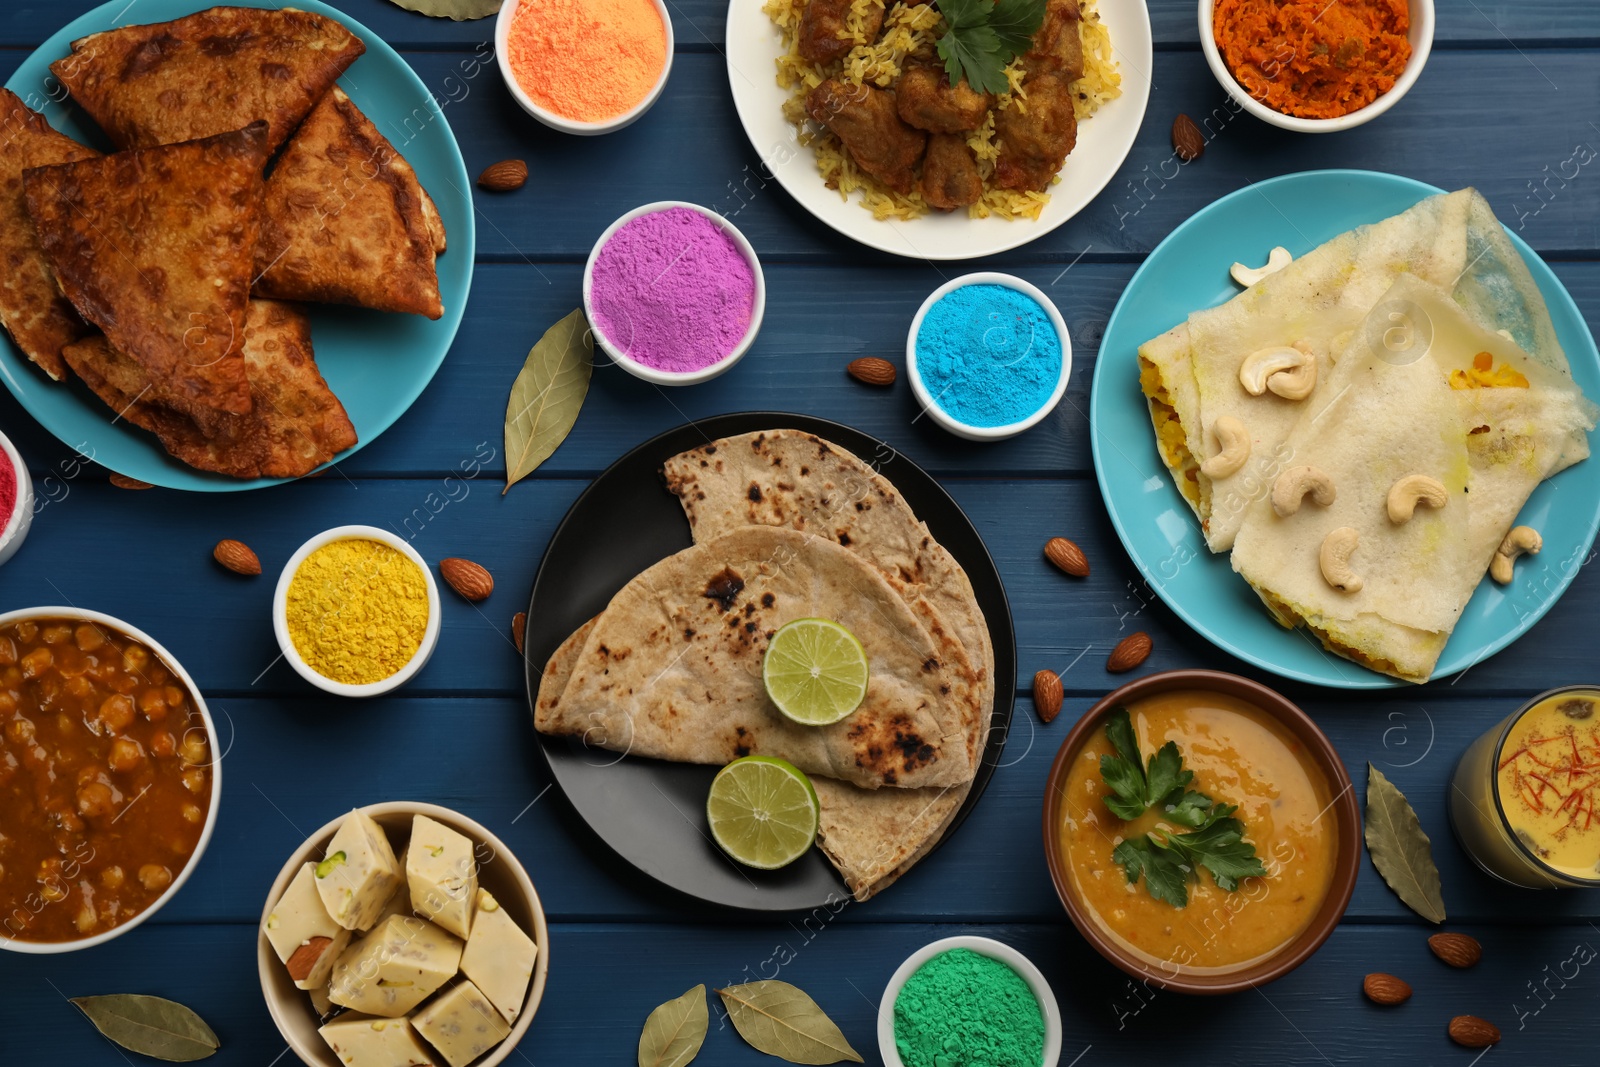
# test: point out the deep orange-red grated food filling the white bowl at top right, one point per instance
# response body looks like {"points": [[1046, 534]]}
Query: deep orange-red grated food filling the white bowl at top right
{"points": [[1314, 58]]}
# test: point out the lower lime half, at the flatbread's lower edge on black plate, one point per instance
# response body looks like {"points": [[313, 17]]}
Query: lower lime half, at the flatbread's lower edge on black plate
{"points": [[762, 812]]}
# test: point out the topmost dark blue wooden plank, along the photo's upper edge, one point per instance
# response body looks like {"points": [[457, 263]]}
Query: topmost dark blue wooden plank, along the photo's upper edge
{"points": [[698, 25]]}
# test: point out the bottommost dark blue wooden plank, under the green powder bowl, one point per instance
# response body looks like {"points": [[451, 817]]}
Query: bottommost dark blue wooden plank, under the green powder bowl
{"points": [[604, 983]]}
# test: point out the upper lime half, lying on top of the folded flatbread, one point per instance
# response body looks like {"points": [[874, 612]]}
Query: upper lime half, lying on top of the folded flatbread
{"points": [[815, 671]]}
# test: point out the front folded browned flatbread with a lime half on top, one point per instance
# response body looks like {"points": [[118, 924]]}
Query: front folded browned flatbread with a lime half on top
{"points": [[673, 668]]}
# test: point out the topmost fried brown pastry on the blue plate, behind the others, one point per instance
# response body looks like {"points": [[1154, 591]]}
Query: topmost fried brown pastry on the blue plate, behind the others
{"points": [[207, 73]]}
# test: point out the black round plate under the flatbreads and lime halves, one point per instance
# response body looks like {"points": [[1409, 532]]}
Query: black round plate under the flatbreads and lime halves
{"points": [[654, 812]]}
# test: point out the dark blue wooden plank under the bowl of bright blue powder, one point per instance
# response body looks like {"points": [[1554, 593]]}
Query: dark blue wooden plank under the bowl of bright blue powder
{"points": [[818, 319]]}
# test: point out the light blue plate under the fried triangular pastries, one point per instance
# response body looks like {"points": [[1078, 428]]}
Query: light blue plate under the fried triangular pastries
{"points": [[375, 362]]}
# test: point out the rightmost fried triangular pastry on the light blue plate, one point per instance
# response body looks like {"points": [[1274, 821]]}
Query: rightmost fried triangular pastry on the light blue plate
{"points": [[346, 220]]}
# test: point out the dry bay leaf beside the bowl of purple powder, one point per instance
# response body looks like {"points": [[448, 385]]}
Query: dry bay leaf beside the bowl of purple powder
{"points": [[548, 396]]}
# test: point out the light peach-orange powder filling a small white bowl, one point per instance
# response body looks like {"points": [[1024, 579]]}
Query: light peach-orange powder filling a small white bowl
{"points": [[588, 60]]}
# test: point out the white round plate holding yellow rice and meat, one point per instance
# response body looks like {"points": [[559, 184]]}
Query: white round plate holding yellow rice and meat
{"points": [[1105, 142]]}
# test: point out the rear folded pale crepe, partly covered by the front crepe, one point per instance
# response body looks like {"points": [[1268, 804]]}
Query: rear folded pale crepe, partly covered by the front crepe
{"points": [[1191, 375]]}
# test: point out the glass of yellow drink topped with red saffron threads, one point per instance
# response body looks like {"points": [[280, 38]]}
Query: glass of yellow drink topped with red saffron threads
{"points": [[1526, 796]]}
